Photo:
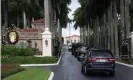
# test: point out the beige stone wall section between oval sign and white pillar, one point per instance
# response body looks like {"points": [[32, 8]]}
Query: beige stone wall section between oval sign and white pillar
{"points": [[30, 34]]}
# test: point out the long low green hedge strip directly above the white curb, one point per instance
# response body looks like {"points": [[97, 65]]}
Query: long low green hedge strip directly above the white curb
{"points": [[28, 60]]}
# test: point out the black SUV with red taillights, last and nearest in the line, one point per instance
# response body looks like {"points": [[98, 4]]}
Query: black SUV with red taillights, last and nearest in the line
{"points": [[98, 60]]}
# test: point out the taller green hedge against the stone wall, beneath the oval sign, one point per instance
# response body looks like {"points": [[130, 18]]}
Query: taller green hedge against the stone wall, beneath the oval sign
{"points": [[16, 51]]}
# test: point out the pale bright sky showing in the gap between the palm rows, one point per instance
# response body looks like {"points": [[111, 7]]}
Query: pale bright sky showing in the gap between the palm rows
{"points": [[65, 31]]}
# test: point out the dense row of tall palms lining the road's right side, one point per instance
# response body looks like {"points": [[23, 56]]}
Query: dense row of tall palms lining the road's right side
{"points": [[108, 21]]}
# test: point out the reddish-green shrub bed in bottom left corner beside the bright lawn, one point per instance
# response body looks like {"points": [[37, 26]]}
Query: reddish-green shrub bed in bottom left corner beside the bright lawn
{"points": [[9, 69]]}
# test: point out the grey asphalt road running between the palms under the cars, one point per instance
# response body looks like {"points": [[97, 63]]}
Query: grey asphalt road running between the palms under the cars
{"points": [[70, 69]]}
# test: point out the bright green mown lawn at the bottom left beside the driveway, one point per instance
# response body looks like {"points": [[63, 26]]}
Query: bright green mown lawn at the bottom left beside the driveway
{"points": [[30, 74]]}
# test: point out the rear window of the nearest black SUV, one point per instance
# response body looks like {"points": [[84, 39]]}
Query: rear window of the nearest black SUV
{"points": [[99, 53]]}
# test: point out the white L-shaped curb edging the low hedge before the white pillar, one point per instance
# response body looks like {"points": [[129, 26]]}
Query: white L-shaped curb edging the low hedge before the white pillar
{"points": [[55, 64]]}
